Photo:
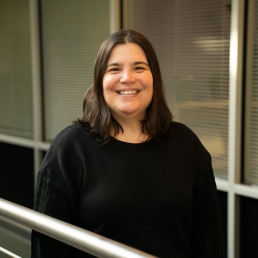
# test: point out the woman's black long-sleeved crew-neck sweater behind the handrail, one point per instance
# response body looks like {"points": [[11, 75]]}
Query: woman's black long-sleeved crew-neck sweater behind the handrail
{"points": [[158, 196]]}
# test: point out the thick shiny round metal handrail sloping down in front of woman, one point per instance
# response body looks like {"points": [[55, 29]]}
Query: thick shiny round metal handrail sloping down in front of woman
{"points": [[77, 237]]}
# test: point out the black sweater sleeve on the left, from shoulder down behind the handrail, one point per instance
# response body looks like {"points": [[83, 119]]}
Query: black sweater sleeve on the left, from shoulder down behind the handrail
{"points": [[59, 182]]}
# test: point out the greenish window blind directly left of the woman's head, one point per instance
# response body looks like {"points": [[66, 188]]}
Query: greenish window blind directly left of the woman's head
{"points": [[72, 32]]}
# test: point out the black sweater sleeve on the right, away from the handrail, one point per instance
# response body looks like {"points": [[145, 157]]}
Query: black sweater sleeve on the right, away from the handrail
{"points": [[207, 237]]}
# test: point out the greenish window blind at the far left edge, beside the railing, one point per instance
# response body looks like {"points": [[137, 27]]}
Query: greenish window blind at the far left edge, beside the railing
{"points": [[15, 69]]}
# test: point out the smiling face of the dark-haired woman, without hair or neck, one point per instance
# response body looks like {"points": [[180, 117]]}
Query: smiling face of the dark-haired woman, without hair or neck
{"points": [[128, 82]]}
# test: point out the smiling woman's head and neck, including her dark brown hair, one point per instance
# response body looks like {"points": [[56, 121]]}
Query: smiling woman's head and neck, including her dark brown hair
{"points": [[126, 62]]}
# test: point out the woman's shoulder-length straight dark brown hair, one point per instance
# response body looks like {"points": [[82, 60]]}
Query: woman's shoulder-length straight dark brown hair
{"points": [[97, 118]]}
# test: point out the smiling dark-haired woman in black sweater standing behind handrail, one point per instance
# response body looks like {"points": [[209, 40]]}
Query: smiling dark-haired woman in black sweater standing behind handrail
{"points": [[125, 170]]}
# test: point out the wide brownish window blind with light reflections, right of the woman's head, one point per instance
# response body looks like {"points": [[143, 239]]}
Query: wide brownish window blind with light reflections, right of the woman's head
{"points": [[191, 39]]}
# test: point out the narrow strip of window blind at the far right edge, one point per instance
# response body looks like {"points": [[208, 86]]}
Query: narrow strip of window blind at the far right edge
{"points": [[251, 121]]}
